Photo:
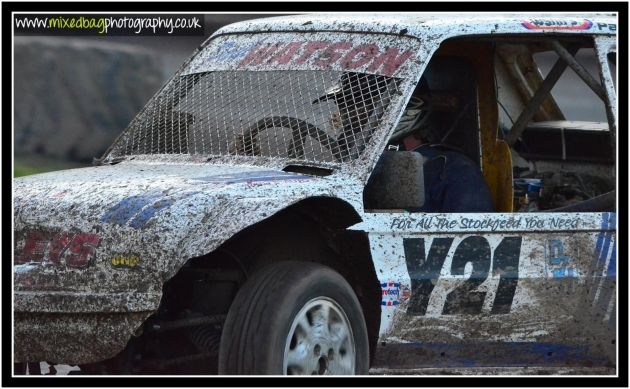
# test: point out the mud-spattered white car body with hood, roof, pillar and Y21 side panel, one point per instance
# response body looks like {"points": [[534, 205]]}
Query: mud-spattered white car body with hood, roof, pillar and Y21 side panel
{"points": [[94, 246]]}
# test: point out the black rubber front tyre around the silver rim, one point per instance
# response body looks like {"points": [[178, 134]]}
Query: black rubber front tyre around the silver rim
{"points": [[257, 326]]}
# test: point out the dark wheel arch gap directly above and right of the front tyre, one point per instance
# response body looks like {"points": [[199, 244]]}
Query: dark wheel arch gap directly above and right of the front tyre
{"points": [[316, 228]]}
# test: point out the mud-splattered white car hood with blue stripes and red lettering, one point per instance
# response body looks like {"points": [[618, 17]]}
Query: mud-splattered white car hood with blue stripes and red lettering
{"points": [[131, 226]]}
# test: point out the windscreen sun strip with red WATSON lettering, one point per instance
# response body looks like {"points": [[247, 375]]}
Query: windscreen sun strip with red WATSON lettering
{"points": [[362, 53]]}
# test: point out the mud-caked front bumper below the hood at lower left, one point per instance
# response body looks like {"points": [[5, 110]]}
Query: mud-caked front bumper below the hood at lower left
{"points": [[77, 329]]}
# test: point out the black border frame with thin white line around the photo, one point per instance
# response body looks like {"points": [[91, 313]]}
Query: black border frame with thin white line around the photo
{"points": [[253, 7]]}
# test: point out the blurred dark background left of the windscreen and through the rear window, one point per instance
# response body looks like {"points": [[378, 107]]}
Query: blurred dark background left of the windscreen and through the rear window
{"points": [[73, 96]]}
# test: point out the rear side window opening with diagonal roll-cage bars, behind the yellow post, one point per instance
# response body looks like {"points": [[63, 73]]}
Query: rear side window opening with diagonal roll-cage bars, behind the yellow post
{"points": [[562, 158]]}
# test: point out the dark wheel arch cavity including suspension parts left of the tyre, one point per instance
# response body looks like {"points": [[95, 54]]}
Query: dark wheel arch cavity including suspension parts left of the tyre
{"points": [[314, 229]]}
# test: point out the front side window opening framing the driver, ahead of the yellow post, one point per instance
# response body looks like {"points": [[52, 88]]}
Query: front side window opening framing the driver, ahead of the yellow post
{"points": [[439, 129]]}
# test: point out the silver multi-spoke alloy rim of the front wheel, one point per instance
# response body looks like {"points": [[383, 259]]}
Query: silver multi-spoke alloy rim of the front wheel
{"points": [[320, 341]]}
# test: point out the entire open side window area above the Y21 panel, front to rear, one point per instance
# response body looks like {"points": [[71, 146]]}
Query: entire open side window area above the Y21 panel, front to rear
{"points": [[560, 160]]}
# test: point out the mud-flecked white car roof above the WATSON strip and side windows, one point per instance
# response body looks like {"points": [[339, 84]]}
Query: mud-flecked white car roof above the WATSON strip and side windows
{"points": [[435, 24]]}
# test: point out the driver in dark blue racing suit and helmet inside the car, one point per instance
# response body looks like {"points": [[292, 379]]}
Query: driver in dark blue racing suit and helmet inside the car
{"points": [[453, 182]]}
